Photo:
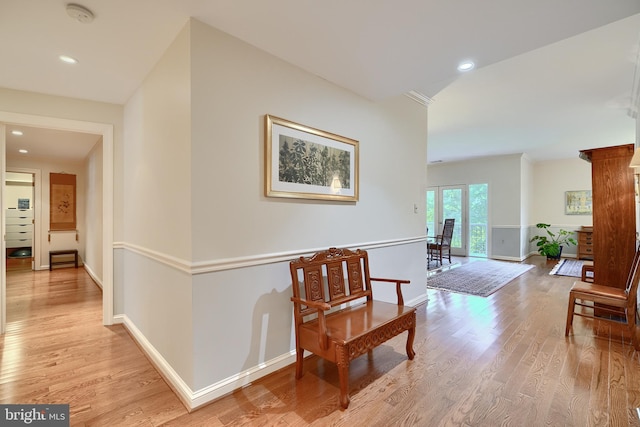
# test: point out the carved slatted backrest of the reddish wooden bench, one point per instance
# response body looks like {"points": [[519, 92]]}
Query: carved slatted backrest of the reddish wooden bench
{"points": [[321, 278]]}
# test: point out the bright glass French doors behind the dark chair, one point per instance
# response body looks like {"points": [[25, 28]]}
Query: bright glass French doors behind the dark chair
{"points": [[468, 205]]}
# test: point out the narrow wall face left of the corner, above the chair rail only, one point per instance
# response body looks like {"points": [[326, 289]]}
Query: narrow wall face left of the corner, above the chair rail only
{"points": [[157, 196]]}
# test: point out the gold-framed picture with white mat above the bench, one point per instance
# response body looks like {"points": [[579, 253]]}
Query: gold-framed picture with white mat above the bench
{"points": [[307, 163]]}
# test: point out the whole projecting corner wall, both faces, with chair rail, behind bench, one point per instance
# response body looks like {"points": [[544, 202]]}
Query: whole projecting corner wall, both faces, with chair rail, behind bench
{"points": [[227, 295]]}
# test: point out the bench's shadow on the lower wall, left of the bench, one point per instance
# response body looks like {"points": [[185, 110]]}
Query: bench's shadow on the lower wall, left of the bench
{"points": [[271, 325]]}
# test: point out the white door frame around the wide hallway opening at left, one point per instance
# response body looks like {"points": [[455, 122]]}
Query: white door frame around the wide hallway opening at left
{"points": [[106, 131]]}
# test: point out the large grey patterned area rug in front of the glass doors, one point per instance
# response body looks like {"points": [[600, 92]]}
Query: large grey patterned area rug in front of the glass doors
{"points": [[479, 278]]}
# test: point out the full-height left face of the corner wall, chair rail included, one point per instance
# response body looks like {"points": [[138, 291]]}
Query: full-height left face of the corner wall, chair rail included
{"points": [[157, 210]]}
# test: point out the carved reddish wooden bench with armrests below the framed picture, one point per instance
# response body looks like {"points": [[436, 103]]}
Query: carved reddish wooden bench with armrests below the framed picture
{"points": [[335, 314]]}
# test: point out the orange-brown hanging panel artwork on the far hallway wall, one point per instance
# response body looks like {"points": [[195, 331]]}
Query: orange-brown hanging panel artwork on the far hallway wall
{"points": [[62, 201]]}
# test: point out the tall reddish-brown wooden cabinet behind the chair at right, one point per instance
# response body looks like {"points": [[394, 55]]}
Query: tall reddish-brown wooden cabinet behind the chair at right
{"points": [[614, 224]]}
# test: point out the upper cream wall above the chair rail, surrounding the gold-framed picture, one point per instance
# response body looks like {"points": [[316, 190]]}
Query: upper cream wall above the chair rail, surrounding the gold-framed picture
{"points": [[234, 86]]}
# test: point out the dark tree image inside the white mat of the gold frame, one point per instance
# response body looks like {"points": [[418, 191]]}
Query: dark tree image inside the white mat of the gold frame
{"points": [[309, 163]]}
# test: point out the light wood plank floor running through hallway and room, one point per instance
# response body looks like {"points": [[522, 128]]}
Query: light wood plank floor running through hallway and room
{"points": [[501, 360]]}
